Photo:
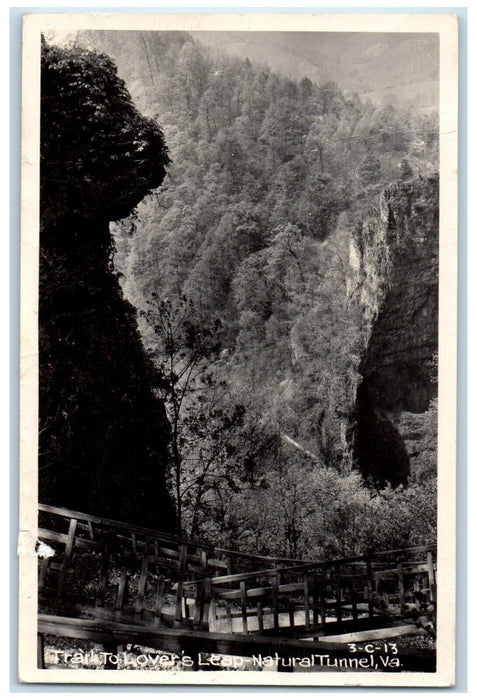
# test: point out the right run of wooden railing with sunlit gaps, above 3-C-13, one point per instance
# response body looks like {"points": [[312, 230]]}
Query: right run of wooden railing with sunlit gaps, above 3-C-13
{"points": [[353, 593]]}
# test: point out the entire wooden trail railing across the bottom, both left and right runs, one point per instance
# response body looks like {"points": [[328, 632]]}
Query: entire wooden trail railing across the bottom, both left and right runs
{"points": [[108, 570]]}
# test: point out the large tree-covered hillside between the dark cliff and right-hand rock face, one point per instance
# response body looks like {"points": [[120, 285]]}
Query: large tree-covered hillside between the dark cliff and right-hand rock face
{"points": [[240, 268]]}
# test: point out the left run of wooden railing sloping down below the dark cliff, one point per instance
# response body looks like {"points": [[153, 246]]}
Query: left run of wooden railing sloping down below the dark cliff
{"points": [[108, 564]]}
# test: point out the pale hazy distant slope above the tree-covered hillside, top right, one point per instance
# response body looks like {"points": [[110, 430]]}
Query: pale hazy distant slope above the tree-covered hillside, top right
{"points": [[390, 68]]}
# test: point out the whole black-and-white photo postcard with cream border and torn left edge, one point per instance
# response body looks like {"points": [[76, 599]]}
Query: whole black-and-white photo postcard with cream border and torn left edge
{"points": [[238, 371]]}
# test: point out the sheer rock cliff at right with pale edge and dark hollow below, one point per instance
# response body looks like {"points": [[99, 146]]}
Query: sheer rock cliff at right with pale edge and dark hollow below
{"points": [[396, 260]]}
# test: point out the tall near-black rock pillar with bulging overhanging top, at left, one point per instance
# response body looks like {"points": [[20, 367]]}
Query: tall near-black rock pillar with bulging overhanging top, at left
{"points": [[103, 433]]}
